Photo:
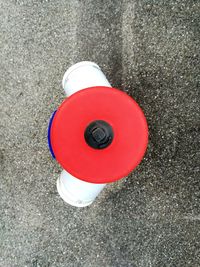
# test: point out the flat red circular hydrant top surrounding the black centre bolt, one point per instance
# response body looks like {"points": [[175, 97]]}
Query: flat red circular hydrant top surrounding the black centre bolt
{"points": [[99, 165]]}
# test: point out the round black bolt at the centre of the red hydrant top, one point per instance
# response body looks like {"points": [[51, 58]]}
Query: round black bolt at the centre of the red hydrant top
{"points": [[99, 134]]}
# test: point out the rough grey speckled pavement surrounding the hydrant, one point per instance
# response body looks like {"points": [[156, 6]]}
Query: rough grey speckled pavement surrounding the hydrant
{"points": [[148, 48]]}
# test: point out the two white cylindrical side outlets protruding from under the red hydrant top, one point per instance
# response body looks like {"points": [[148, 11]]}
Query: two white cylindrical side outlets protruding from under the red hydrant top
{"points": [[72, 190]]}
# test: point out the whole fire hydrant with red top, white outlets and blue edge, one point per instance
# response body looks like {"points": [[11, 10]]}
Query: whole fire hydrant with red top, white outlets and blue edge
{"points": [[98, 134]]}
